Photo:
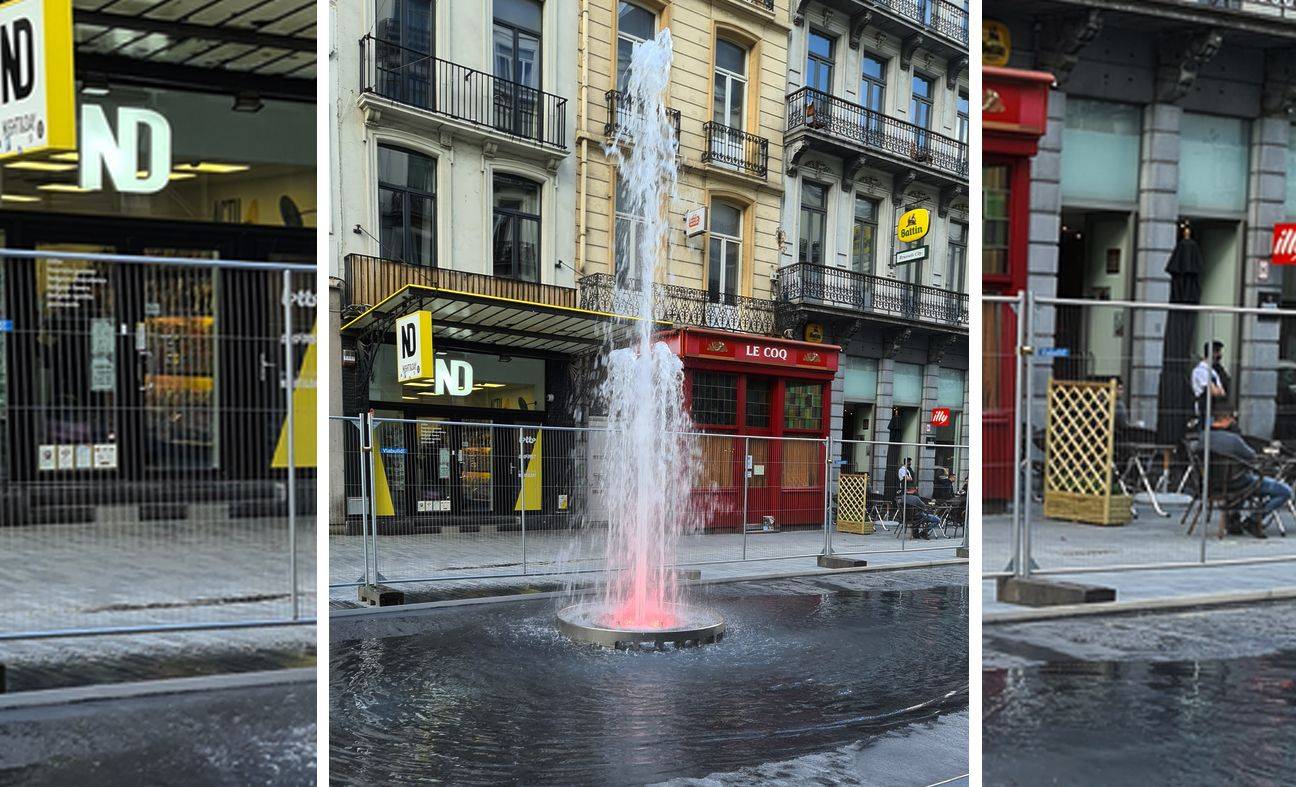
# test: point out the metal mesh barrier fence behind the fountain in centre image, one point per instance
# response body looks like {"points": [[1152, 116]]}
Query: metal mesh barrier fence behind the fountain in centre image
{"points": [[427, 500]]}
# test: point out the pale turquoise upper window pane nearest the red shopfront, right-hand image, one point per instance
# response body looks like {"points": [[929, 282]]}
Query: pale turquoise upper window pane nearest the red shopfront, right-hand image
{"points": [[1101, 152]]}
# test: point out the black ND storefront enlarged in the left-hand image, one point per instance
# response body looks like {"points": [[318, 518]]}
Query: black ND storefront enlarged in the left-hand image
{"points": [[121, 374]]}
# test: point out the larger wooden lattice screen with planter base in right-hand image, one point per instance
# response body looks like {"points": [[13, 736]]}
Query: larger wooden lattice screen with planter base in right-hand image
{"points": [[1080, 454]]}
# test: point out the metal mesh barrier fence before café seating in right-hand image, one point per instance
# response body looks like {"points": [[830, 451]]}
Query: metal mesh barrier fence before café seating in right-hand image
{"points": [[1115, 457]]}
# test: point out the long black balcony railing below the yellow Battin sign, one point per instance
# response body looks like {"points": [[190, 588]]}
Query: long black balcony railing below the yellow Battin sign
{"points": [[825, 286]]}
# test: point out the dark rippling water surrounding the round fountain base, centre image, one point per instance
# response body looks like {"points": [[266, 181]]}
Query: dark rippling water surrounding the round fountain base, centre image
{"points": [[492, 693]]}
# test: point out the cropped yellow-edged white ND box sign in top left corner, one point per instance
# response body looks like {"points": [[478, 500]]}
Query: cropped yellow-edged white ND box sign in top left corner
{"points": [[38, 89]]}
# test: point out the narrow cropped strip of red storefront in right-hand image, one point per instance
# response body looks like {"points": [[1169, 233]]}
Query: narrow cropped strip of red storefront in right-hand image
{"points": [[1015, 115]]}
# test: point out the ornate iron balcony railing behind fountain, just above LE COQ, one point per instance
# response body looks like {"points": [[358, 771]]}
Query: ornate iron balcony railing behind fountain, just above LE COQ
{"points": [[681, 305]]}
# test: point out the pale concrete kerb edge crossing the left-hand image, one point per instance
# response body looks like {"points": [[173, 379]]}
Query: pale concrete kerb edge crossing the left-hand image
{"points": [[46, 698]]}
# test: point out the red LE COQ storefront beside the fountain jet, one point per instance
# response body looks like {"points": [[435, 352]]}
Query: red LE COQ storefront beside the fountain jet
{"points": [[777, 392]]}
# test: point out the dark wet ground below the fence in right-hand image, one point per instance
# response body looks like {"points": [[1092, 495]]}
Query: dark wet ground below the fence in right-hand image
{"points": [[1193, 698]]}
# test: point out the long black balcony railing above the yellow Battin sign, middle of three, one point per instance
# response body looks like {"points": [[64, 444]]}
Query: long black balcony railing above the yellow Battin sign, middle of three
{"points": [[818, 112]]}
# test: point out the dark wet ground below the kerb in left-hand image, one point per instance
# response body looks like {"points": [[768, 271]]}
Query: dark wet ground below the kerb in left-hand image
{"points": [[234, 737]]}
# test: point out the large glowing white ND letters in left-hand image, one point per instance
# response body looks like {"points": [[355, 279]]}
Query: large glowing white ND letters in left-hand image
{"points": [[120, 154]]}
